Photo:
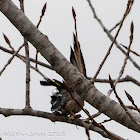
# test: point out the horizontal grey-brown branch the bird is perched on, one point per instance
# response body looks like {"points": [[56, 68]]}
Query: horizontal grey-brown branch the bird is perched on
{"points": [[53, 118]]}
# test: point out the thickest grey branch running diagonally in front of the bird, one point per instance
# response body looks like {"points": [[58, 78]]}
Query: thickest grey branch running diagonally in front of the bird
{"points": [[71, 75]]}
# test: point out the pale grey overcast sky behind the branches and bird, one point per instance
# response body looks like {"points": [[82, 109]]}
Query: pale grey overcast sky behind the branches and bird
{"points": [[58, 25]]}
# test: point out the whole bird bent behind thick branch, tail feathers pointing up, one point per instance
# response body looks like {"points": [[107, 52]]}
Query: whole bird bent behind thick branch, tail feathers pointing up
{"points": [[63, 101]]}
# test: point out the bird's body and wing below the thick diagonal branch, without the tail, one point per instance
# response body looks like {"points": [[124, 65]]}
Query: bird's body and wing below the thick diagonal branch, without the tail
{"points": [[62, 101]]}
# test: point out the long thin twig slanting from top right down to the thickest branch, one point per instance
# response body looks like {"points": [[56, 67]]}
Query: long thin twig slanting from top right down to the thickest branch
{"points": [[109, 50]]}
